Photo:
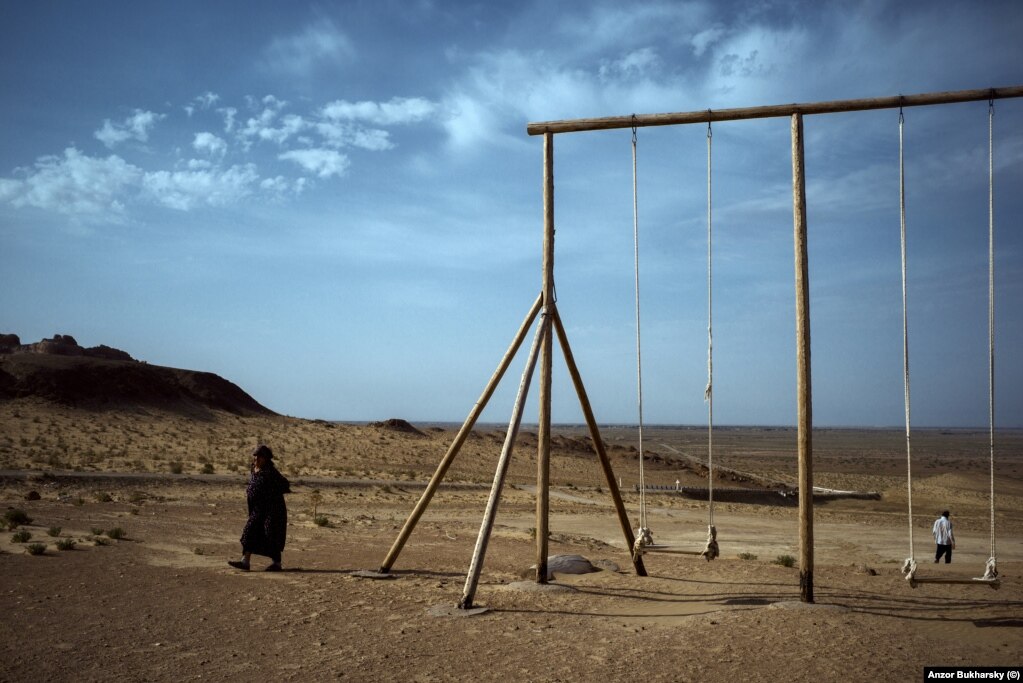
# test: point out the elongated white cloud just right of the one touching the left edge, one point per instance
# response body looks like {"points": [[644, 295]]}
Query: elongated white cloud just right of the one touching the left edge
{"points": [[187, 190]]}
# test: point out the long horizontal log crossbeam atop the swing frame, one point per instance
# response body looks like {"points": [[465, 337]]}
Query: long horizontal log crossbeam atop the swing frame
{"points": [[706, 116]]}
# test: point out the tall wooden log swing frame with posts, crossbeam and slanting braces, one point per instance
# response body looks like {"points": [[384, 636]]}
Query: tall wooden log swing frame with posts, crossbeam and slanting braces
{"points": [[546, 305]]}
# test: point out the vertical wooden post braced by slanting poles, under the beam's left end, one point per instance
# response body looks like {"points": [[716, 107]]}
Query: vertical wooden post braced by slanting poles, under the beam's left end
{"points": [[544, 454]]}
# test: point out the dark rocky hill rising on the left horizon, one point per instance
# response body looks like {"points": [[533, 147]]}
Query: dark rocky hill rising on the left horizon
{"points": [[60, 371]]}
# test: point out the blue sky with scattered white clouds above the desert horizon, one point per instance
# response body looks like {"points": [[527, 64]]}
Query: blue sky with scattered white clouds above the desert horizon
{"points": [[336, 206]]}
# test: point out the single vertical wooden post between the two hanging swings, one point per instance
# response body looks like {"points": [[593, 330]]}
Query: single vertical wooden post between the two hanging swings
{"points": [[804, 393]]}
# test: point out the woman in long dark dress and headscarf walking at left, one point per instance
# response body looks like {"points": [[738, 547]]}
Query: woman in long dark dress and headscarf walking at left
{"points": [[266, 528]]}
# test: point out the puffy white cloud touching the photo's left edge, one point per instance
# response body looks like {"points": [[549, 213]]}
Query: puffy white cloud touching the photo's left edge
{"points": [[86, 188]]}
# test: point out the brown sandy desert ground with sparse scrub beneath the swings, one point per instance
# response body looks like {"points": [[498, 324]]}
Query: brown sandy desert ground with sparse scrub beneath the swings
{"points": [[162, 605]]}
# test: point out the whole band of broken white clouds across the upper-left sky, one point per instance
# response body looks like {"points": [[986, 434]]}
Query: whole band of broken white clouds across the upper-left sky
{"points": [[97, 189]]}
